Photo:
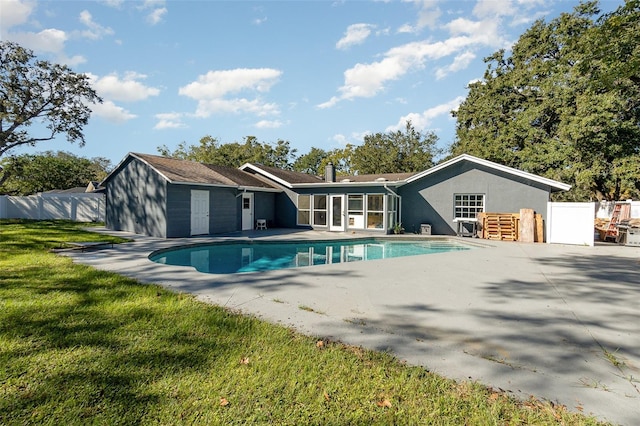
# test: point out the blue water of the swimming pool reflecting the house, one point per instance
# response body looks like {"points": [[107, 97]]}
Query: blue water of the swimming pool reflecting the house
{"points": [[254, 256]]}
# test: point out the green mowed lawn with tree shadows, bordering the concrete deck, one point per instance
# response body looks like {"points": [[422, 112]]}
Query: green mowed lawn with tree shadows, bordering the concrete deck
{"points": [[82, 346]]}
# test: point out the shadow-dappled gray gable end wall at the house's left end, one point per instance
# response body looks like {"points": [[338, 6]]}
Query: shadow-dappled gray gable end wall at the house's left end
{"points": [[136, 201]]}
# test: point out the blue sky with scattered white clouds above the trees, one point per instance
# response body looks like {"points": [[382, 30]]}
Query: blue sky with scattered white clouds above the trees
{"points": [[314, 73]]}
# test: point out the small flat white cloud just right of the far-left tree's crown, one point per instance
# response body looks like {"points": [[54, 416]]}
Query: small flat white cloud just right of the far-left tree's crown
{"points": [[126, 89]]}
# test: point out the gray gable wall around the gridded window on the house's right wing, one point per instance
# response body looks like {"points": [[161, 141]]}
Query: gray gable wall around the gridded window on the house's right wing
{"points": [[431, 199]]}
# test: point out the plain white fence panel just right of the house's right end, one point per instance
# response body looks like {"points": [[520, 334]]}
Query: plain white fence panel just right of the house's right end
{"points": [[571, 223]]}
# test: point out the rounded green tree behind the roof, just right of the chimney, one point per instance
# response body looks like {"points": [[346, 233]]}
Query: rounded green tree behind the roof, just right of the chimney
{"points": [[395, 152]]}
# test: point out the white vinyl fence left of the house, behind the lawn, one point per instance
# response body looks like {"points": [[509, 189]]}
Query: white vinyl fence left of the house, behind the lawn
{"points": [[80, 207]]}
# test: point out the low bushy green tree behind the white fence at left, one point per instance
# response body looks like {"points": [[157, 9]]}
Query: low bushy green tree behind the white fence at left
{"points": [[28, 174]]}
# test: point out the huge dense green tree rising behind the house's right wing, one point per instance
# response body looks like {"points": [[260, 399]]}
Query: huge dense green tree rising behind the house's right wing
{"points": [[543, 111]]}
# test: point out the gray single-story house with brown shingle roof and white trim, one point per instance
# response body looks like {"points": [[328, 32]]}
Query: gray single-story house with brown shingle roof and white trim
{"points": [[167, 197]]}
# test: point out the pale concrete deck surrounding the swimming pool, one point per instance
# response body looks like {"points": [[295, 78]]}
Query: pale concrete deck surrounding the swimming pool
{"points": [[561, 323]]}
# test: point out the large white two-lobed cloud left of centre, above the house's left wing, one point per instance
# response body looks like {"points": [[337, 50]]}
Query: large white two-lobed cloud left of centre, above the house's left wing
{"points": [[213, 90]]}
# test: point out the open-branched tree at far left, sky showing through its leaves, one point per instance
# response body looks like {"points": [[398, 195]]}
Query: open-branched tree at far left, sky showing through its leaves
{"points": [[34, 90]]}
